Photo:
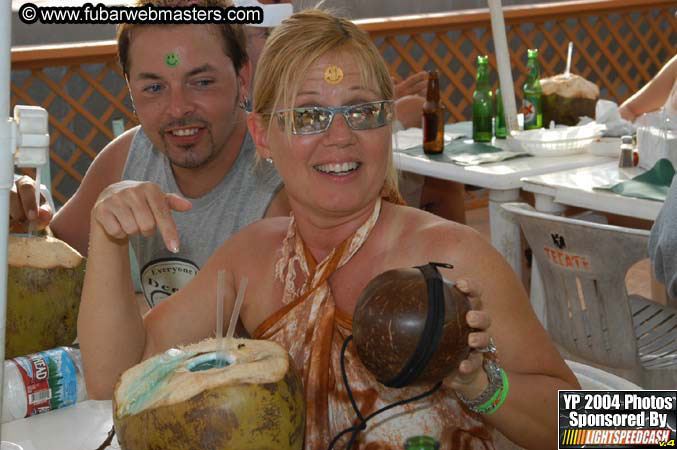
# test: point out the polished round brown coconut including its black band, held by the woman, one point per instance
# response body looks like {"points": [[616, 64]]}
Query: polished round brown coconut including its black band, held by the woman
{"points": [[409, 327]]}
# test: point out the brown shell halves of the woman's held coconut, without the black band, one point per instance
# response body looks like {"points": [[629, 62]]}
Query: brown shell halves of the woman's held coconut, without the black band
{"points": [[389, 319]]}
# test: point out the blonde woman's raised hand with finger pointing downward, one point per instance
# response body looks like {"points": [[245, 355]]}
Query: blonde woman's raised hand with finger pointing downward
{"points": [[129, 208]]}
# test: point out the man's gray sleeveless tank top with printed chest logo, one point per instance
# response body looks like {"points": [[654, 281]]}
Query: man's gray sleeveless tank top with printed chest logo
{"points": [[241, 198]]}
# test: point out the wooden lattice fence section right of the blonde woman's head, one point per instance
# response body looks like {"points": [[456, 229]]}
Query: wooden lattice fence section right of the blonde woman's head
{"points": [[618, 44]]}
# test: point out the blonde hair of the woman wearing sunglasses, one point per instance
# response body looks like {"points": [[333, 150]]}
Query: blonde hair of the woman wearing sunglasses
{"points": [[295, 45]]}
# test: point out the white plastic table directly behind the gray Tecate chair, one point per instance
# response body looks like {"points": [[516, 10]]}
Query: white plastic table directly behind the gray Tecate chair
{"points": [[554, 191]]}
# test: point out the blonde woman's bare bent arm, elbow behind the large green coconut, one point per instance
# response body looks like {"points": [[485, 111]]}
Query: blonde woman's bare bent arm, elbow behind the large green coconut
{"points": [[113, 335]]}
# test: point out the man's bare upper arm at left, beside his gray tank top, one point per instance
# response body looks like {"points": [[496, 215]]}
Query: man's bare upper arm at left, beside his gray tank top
{"points": [[71, 223]]}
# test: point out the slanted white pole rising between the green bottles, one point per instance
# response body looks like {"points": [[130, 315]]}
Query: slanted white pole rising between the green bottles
{"points": [[503, 63]]}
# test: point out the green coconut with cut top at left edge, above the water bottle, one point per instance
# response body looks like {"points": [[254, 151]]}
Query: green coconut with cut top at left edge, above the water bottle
{"points": [[44, 284]]}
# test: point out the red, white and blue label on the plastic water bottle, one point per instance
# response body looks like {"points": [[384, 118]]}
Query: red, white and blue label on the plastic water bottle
{"points": [[50, 380]]}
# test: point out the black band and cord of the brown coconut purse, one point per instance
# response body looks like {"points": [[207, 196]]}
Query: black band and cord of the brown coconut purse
{"points": [[430, 337]]}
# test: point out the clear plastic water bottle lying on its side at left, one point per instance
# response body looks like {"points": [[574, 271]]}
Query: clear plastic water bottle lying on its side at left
{"points": [[41, 382]]}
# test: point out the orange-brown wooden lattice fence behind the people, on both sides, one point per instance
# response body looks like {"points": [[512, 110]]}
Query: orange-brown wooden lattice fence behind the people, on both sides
{"points": [[619, 44]]}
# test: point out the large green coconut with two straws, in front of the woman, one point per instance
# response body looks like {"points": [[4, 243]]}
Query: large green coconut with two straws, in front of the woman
{"points": [[194, 397]]}
